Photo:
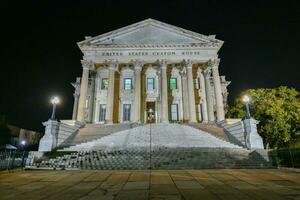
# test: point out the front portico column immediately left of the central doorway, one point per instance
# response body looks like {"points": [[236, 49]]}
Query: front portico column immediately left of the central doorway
{"points": [[137, 91]]}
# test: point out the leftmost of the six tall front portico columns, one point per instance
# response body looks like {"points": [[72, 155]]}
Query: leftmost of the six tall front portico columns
{"points": [[86, 65]]}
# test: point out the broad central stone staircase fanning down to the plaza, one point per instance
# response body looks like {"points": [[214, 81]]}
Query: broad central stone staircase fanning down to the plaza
{"points": [[166, 146]]}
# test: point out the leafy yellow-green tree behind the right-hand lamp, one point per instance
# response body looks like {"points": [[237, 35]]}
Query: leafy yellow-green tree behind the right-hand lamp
{"points": [[277, 109]]}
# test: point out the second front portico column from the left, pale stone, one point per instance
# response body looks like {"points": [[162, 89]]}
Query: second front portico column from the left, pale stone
{"points": [[110, 92]]}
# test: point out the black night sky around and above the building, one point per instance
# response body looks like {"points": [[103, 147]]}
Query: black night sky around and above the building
{"points": [[39, 55]]}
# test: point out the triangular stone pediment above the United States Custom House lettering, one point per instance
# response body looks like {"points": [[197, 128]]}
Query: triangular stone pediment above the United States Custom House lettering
{"points": [[150, 32]]}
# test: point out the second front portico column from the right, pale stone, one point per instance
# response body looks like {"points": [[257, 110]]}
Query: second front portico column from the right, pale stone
{"points": [[191, 94]]}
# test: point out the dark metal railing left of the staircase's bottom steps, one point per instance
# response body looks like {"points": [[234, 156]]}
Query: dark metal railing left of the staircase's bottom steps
{"points": [[12, 159]]}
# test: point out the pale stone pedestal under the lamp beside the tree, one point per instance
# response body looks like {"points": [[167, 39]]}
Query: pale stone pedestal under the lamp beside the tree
{"points": [[253, 140]]}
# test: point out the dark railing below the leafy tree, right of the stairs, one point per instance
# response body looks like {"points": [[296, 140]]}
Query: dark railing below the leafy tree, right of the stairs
{"points": [[285, 157]]}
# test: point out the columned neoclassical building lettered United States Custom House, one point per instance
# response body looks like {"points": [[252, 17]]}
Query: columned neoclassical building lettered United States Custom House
{"points": [[150, 65]]}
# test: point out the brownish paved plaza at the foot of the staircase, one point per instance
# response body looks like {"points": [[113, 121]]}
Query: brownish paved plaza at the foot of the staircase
{"points": [[180, 184]]}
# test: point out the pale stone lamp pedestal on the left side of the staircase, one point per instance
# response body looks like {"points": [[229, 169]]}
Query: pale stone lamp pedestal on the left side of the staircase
{"points": [[49, 141]]}
